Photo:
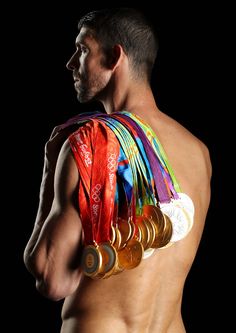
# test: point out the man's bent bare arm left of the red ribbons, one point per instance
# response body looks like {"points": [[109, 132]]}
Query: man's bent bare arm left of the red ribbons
{"points": [[53, 251]]}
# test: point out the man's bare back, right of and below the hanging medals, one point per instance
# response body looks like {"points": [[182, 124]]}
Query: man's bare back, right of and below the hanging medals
{"points": [[148, 299]]}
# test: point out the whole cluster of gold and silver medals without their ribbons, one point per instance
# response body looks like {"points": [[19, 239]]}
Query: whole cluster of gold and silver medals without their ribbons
{"points": [[131, 242]]}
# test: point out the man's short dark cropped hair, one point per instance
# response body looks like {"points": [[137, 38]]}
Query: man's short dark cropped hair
{"points": [[131, 29]]}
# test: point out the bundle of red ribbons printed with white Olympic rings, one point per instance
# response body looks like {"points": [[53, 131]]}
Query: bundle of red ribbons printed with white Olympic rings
{"points": [[95, 148]]}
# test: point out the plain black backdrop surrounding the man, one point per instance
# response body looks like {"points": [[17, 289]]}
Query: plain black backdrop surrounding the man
{"points": [[186, 86]]}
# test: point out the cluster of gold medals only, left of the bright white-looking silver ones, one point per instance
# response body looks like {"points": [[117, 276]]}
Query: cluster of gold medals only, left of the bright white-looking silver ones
{"points": [[130, 243]]}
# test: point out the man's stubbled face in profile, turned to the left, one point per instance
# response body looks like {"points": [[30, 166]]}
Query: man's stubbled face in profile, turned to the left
{"points": [[90, 73]]}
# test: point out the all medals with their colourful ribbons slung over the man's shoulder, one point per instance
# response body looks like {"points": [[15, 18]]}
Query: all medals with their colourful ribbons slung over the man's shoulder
{"points": [[129, 200]]}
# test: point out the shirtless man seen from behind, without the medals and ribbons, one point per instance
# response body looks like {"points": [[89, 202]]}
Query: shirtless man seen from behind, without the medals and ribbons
{"points": [[115, 53]]}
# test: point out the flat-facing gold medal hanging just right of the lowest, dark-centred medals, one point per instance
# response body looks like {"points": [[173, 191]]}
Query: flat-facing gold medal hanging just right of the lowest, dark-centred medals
{"points": [[131, 255]]}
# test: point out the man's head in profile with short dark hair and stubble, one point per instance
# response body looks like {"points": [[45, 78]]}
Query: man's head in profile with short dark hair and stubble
{"points": [[105, 38]]}
